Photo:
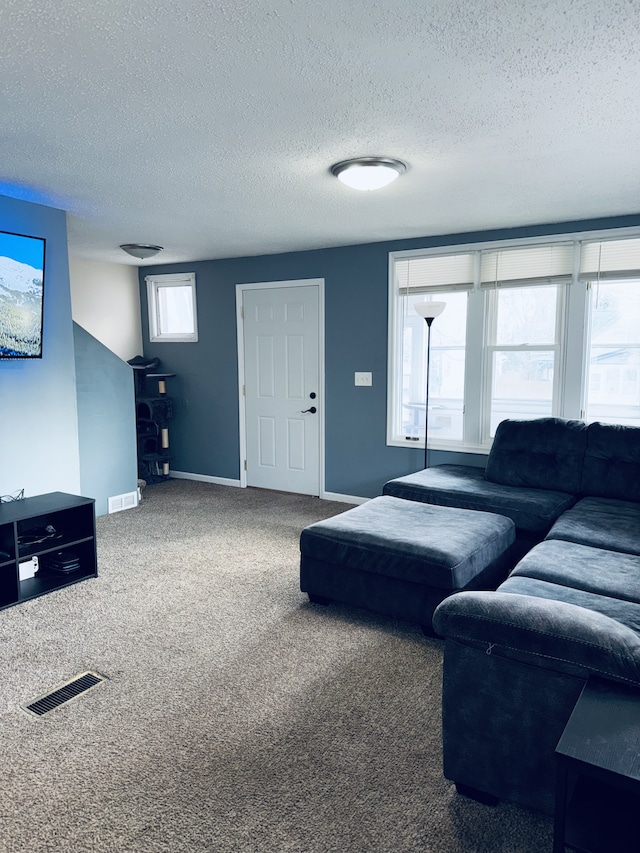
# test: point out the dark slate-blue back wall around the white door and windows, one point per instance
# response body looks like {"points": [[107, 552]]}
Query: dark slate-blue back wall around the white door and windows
{"points": [[204, 434]]}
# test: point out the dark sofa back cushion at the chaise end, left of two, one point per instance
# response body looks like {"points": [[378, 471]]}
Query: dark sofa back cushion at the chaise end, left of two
{"points": [[544, 453]]}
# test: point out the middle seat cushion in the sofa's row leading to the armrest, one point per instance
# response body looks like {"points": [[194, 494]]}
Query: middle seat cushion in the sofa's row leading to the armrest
{"points": [[570, 568]]}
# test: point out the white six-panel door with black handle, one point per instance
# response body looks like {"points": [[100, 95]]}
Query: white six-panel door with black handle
{"points": [[282, 378]]}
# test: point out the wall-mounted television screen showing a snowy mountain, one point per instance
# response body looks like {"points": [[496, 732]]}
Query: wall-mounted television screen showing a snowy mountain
{"points": [[21, 295]]}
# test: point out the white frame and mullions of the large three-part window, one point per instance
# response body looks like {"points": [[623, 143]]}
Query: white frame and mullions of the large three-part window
{"points": [[573, 320]]}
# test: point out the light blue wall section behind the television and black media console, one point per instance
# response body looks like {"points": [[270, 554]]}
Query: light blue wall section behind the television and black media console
{"points": [[39, 446]]}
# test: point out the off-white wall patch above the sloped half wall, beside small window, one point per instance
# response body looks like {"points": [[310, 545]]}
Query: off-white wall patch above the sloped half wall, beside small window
{"points": [[105, 301]]}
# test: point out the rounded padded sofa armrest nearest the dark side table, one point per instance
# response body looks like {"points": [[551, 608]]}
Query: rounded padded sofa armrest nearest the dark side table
{"points": [[553, 634]]}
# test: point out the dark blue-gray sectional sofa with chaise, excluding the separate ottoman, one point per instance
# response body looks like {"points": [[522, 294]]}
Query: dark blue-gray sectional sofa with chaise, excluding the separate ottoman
{"points": [[517, 658]]}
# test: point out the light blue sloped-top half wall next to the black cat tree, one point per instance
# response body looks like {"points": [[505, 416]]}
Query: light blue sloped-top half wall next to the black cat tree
{"points": [[106, 421]]}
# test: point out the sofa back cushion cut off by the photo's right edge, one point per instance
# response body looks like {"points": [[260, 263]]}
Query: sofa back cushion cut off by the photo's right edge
{"points": [[611, 466]]}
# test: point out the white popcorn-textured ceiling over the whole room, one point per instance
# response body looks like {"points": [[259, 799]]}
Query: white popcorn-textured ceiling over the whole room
{"points": [[209, 128]]}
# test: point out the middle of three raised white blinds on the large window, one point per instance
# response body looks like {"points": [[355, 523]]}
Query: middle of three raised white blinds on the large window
{"points": [[530, 266]]}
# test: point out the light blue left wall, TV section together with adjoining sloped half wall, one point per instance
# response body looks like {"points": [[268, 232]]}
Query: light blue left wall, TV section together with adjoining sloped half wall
{"points": [[68, 419]]}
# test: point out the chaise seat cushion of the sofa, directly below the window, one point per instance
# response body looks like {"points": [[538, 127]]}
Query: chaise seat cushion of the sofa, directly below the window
{"points": [[466, 487]]}
